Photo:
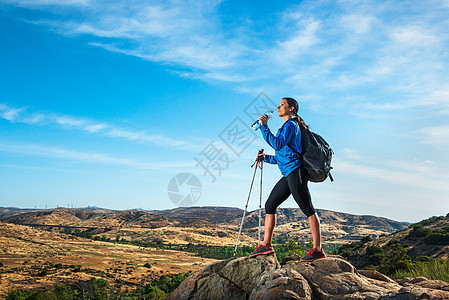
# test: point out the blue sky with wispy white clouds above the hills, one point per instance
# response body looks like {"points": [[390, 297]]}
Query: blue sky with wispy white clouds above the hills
{"points": [[104, 102]]}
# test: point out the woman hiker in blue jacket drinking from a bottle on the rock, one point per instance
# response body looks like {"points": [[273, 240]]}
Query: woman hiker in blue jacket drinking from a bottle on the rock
{"points": [[294, 180]]}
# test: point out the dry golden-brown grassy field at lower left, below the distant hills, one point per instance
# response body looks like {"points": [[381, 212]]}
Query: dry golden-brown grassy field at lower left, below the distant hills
{"points": [[37, 259]]}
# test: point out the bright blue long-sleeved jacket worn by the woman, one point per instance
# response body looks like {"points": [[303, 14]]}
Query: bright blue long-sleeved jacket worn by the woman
{"points": [[285, 157]]}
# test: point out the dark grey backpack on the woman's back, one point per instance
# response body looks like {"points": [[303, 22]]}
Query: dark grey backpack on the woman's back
{"points": [[316, 155]]}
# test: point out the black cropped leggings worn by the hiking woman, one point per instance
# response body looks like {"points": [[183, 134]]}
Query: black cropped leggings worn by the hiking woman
{"points": [[295, 183]]}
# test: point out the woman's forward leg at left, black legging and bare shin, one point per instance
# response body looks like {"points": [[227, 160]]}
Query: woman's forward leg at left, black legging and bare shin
{"points": [[279, 194]]}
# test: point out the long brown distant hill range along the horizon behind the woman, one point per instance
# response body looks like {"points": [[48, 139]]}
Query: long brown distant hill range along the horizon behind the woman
{"points": [[214, 225]]}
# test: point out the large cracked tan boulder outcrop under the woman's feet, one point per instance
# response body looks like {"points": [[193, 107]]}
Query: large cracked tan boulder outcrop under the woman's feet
{"points": [[262, 277]]}
